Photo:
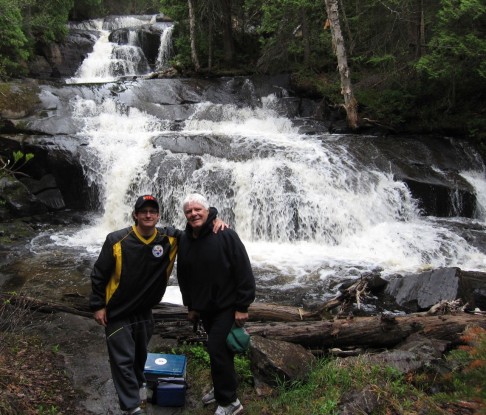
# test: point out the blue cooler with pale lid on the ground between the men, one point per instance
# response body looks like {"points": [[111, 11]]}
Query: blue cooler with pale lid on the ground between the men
{"points": [[165, 374]]}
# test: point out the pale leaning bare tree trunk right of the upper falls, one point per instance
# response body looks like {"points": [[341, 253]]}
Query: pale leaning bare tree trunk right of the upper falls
{"points": [[350, 103]]}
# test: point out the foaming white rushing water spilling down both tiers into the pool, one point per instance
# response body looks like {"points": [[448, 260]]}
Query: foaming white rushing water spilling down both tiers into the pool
{"points": [[307, 207]]}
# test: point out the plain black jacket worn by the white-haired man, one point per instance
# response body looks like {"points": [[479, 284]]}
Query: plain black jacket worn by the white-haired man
{"points": [[214, 271]]}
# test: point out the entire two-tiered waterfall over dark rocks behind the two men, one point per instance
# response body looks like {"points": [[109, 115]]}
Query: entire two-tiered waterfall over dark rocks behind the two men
{"points": [[307, 207]]}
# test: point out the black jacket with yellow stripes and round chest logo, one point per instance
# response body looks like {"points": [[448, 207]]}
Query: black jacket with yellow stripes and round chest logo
{"points": [[131, 272]]}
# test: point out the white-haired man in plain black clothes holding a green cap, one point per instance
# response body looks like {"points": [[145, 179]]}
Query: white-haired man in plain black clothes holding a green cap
{"points": [[217, 286]]}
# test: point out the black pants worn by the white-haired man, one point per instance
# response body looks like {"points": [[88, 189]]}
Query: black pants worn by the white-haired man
{"points": [[217, 326]]}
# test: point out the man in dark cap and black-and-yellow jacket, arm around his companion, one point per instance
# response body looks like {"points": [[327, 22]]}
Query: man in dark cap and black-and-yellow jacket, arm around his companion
{"points": [[128, 279]]}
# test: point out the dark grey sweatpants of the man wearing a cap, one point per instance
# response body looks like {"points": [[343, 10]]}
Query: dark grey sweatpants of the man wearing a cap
{"points": [[127, 341]]}
